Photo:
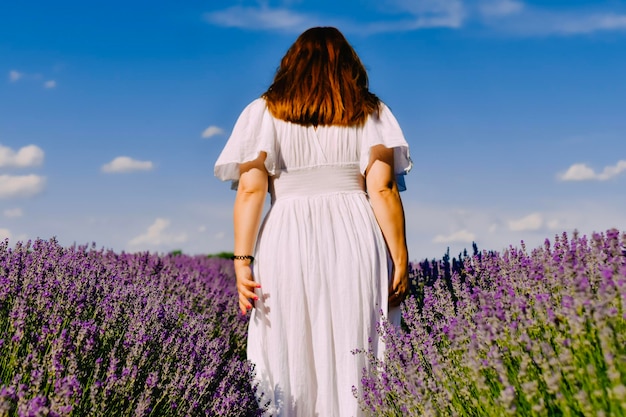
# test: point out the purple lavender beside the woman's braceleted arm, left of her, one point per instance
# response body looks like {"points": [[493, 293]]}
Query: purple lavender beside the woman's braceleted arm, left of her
{"points": [[91, 332]]}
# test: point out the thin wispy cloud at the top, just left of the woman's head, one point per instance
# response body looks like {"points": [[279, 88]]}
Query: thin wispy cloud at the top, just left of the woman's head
{"points": [[263, 17]]}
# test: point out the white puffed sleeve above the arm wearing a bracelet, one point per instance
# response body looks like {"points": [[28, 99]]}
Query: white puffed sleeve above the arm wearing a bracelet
{"points": [[253, 133]]}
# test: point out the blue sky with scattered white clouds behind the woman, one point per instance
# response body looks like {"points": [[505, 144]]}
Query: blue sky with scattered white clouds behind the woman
{"points": [[113, 113]]}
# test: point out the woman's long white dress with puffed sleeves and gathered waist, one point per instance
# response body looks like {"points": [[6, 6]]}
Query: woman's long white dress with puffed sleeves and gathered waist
{"points": [[320, 258]]}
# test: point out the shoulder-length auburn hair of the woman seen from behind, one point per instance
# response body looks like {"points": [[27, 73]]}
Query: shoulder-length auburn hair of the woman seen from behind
{"points": [[321, 81]]}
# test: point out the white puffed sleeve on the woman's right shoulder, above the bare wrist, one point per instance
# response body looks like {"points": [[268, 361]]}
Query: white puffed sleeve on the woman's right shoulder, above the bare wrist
{"points": [[383, 129]]}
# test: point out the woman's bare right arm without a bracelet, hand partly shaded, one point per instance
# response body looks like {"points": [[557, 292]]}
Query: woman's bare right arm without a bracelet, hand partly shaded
{"points": [[387, 205]]}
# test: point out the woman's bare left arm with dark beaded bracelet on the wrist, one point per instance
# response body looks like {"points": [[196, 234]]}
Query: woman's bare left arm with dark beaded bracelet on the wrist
{"points": [[247, 211]]}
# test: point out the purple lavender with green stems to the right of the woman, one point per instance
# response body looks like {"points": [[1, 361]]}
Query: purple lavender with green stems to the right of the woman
{"points": [[526, 334]]}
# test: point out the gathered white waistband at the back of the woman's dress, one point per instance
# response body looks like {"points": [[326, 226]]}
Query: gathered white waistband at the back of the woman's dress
{"points": [[316, 181]]}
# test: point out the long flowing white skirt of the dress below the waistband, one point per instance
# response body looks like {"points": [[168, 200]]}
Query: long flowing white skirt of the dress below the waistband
{"points": [[323, 267]]}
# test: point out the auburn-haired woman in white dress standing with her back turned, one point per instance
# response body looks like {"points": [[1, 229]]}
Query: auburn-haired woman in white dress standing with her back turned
{"points": [[331, 252]]}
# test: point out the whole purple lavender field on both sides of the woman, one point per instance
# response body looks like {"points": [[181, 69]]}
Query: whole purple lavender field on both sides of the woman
{"points": [[524, 332]]}
